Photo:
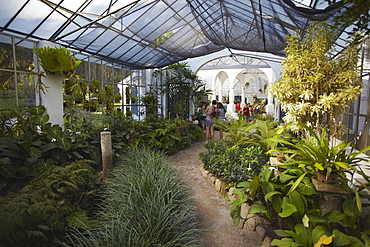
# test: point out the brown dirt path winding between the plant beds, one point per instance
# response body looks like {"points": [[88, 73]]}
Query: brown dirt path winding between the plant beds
{"points": [[213, 209]]}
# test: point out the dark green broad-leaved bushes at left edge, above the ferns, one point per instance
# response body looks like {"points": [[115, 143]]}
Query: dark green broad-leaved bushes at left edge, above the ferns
{"points": [[28, 142]]}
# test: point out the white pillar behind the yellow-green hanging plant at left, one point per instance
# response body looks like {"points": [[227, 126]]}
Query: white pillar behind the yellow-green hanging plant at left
{"points": [[52, 99]]}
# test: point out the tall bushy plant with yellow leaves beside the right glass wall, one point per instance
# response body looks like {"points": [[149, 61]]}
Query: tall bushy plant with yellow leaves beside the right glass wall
{"points": [[315, 88]]}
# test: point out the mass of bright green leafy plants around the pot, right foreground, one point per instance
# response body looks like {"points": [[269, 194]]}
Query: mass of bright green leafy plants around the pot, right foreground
{"points": [[289, 198]]}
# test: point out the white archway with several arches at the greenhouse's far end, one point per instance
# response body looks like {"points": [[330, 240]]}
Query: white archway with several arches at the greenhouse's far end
{"points": [[243, 72]]}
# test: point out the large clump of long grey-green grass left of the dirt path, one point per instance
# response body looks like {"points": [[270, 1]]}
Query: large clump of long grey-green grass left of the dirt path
{"points": [[144, 204]]}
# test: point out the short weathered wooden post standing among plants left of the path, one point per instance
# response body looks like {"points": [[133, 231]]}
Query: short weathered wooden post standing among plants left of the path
{"points": [[106, 149]]}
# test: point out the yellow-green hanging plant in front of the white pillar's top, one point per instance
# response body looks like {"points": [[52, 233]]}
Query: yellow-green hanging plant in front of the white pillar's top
{"points": [[57, 60]]}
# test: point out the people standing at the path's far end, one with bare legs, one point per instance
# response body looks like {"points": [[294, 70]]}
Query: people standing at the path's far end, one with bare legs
{"points": [[208, 115]]}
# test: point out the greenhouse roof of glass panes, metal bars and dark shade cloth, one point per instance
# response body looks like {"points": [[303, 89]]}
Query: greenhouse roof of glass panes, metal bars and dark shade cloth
{"points": [[155, 33]]}
